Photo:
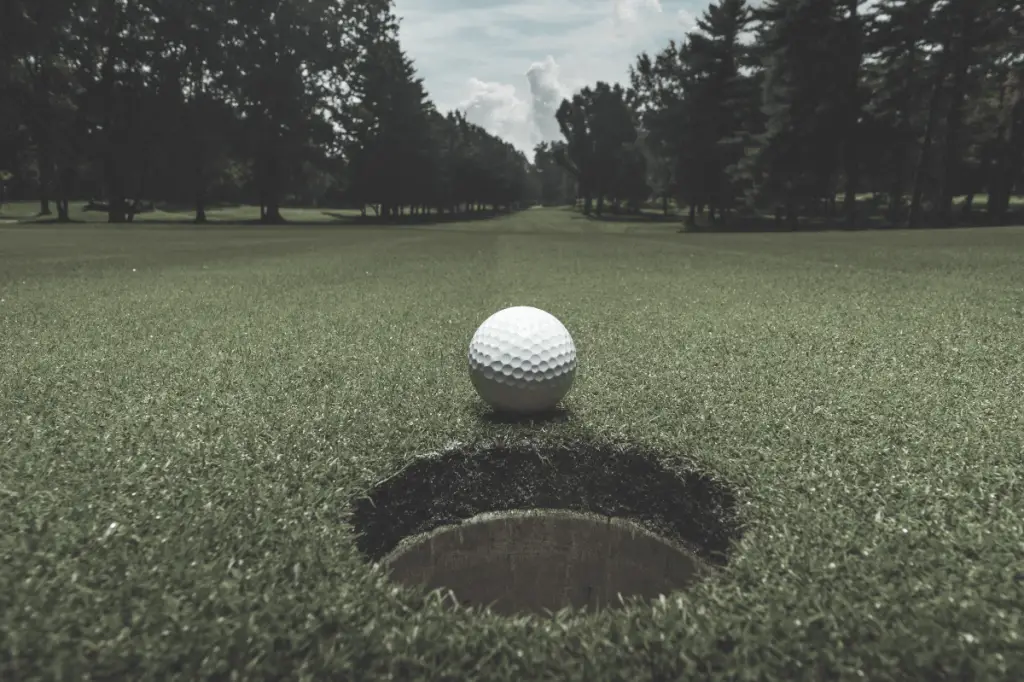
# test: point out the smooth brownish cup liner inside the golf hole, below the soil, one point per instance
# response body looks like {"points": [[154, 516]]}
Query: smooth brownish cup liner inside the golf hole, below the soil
{"points": [[544, 561]]}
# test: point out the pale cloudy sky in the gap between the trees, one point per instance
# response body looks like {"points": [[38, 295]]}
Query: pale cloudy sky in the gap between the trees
{"points": [[508, 64]]}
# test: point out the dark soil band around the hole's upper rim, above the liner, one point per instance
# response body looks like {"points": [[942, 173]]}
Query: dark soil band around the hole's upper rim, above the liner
{"points": [[612, 481]]}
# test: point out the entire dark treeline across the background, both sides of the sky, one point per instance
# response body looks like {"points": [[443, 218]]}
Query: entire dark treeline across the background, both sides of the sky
{"points": [[780, 108]]}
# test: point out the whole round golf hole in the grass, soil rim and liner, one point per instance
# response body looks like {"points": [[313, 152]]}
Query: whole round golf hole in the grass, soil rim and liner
{"points": [[533, 528]]}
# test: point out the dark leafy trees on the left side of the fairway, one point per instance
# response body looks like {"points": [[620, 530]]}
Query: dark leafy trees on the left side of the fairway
{"points": [[277, 102]]}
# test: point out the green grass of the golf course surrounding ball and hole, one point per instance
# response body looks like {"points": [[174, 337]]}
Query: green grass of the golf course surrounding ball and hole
{"points": [[187, 416]]}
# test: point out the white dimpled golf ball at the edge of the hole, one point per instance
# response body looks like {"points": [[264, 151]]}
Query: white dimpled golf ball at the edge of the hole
{"points": [[523, 360]]}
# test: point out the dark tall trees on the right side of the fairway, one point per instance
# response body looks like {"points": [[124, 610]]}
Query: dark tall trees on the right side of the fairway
{"points": [[795, 104]]}
